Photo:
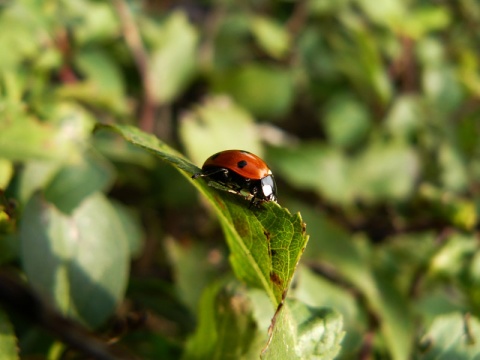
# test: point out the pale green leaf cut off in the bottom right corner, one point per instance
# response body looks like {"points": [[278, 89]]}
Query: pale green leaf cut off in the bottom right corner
{"points": [[451, 336]]}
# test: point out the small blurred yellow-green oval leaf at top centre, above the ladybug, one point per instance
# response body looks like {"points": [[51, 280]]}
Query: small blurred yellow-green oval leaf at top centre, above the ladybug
{"points": [[272, 37]]}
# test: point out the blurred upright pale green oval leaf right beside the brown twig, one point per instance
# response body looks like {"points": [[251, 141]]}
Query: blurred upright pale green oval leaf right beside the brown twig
{"points": [[174, 57]]}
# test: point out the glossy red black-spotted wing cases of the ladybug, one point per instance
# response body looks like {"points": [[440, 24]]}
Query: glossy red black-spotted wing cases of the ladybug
{"points": [[242, 162]]}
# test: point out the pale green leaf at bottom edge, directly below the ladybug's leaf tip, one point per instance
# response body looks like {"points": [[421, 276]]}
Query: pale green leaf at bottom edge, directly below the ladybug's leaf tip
{"points": [[304, 332]]}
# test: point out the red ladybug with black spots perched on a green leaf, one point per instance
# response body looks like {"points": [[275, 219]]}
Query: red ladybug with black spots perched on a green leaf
{"points": [[241, 170]]}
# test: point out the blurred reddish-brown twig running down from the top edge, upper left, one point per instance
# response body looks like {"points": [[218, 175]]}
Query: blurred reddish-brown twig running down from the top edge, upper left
{"points": [[140, 56]]}
